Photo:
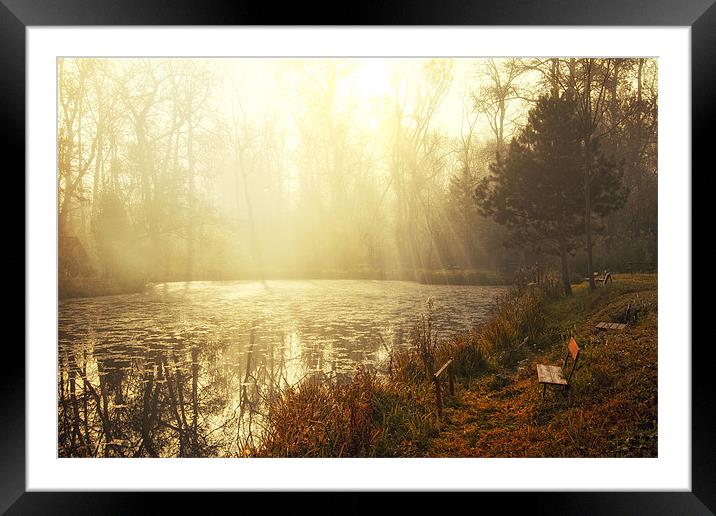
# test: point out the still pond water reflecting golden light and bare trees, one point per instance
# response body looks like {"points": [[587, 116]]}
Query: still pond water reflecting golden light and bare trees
{"points": [[180, 369]]}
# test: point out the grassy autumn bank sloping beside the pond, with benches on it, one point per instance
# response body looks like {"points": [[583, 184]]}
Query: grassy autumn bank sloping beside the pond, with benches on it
{"points": [[498, 409]]}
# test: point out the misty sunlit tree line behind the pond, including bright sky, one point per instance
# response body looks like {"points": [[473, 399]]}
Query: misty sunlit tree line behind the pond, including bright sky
{"points": [[168, 169]]}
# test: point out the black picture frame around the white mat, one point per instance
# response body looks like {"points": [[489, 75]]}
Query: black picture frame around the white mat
{"points": [[17, 15]]}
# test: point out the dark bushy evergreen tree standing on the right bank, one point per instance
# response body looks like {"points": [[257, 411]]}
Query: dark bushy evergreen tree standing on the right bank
{"points": [[537, 189]]}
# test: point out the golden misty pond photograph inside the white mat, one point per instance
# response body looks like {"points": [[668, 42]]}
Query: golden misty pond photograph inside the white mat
{"points": [[404, 257]]}
